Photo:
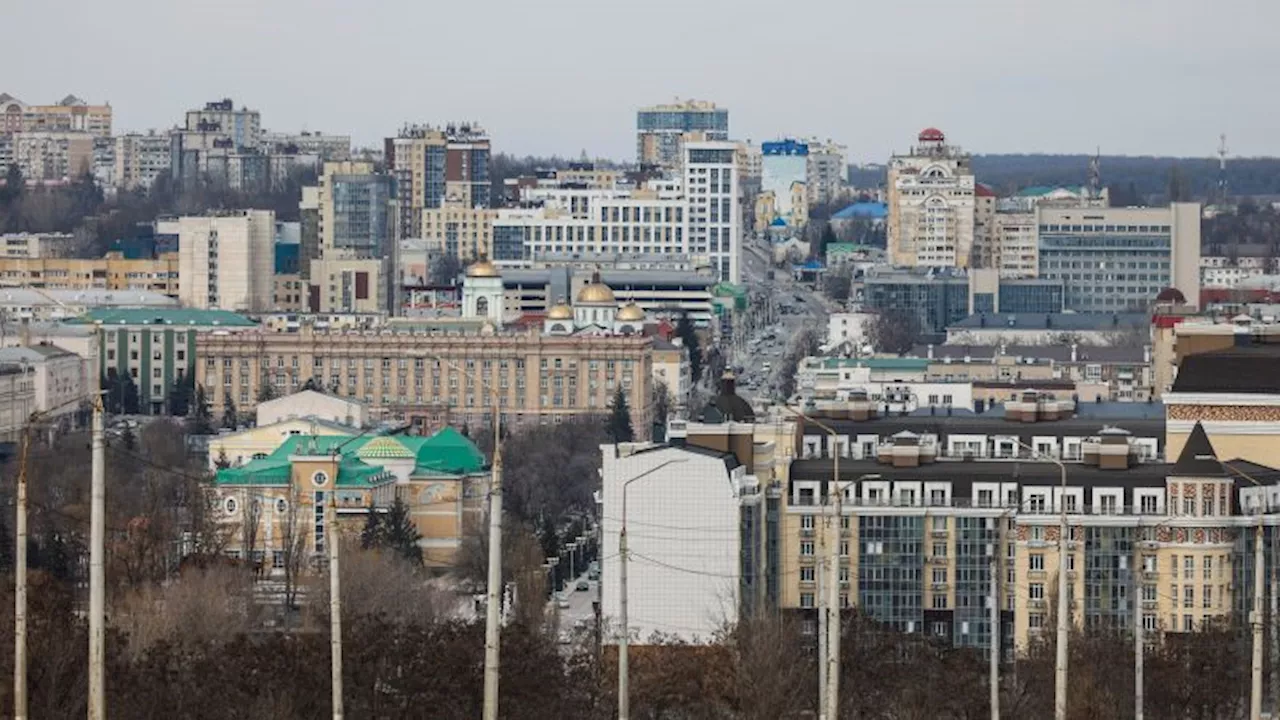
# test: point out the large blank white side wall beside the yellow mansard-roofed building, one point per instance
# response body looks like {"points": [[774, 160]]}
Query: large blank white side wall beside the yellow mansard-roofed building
{"points": [[683, 525]]}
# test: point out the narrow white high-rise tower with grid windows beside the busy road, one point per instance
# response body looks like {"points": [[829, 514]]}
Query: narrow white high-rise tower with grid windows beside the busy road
{"points": [[712, 194]]}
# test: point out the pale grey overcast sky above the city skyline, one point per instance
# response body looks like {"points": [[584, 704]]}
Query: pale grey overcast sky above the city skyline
{"points": [[1135, 78]]}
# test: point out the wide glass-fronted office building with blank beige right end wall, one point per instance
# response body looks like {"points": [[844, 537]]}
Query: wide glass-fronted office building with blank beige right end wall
{"points": [[1118, 259]]}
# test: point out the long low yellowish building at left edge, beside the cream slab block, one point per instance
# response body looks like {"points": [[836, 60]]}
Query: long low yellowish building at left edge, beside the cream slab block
{"points": [[112, 272]]}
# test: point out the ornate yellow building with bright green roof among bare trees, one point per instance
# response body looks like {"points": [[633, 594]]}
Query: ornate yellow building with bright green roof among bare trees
{"points": [[275, 508]]}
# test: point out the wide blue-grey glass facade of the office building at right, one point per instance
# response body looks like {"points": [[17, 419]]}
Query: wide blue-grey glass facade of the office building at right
{"points": [[1107, 268]]}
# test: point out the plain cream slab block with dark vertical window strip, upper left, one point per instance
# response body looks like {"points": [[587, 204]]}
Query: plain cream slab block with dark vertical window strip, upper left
{"points": [[227, 261]]}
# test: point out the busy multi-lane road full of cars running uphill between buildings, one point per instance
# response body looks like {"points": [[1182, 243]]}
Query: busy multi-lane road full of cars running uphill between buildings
{"points": [[779, 309]]}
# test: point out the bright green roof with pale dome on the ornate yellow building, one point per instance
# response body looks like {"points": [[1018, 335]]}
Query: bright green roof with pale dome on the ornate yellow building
{"points": [[445, 453]]}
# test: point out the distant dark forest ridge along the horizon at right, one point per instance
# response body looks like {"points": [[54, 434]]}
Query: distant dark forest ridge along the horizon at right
{"points": [[1146, 177]]}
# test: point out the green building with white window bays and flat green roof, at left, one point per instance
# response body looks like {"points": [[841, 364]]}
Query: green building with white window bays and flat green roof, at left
{"points": [[158, 348]]}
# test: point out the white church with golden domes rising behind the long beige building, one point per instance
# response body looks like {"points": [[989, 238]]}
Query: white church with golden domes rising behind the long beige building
{"points": [[595, 309]]}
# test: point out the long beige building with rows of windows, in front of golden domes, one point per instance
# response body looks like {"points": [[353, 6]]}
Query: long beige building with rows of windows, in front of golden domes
{"points": [[400, 373]]}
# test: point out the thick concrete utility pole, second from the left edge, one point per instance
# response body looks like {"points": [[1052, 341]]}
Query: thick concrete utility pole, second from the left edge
{"points": [[97, 576]]}
